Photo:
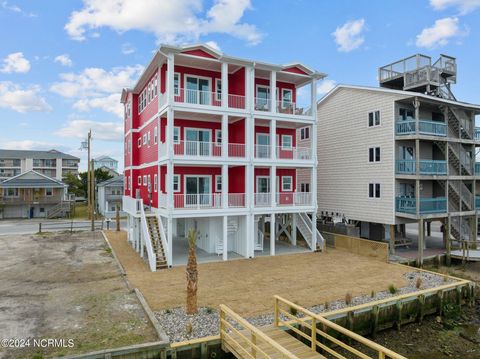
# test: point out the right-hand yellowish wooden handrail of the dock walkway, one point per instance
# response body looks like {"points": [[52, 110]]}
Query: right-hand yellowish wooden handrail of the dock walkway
{"points": [[315, 319]]}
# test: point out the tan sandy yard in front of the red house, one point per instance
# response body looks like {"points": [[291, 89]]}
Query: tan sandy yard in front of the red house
{"points": [[248, 285]]}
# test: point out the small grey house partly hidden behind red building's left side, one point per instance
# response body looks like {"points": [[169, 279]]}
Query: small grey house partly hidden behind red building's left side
{"points": [[110, 196]]}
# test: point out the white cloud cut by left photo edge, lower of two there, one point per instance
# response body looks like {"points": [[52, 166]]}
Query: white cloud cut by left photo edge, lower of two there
{"points": [[22, 100]]}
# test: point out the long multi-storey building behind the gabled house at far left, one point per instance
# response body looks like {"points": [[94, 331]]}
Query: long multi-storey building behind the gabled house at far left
{"points": [[51, 163]]}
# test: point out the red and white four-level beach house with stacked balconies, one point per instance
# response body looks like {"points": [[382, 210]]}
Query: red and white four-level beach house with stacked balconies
{"points": [[211, 144]]}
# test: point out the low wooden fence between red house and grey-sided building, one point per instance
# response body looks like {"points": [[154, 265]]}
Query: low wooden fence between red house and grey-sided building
{"points": [[364, 247]]}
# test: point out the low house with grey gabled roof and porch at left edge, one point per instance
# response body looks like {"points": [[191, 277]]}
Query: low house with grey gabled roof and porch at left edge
{"points": [[33, 195]]}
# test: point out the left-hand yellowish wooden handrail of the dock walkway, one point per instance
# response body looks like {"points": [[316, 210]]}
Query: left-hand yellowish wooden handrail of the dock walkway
{"points": [[255, 334]]}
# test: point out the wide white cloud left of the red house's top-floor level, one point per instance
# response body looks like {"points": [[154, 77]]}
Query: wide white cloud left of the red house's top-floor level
{"points": [[94, 81]]}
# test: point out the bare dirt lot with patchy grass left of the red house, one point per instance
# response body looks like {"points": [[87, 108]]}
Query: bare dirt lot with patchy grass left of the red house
{"points": [[66, 286]]}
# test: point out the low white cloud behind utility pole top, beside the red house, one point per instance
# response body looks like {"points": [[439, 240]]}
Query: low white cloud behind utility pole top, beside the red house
{"points": [[106, 131]]}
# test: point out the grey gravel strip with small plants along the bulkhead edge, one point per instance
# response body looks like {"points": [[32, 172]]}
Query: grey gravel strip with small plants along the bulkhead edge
{"points": [[180, 327]]}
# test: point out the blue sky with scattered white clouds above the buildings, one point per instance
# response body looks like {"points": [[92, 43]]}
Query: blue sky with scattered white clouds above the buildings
{"points": [[63, 64]]}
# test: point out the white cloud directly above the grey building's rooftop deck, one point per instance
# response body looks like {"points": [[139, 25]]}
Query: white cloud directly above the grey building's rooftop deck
{"points": [[440, 33]]}
